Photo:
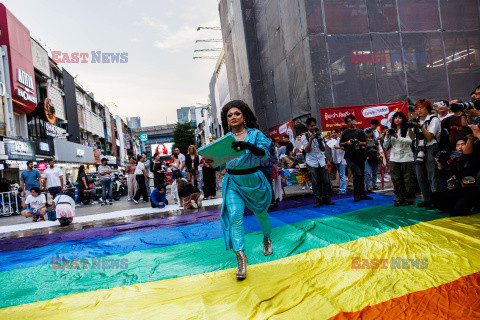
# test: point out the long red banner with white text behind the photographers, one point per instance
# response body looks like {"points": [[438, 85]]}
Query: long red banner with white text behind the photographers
{"points": [[335, 117]]}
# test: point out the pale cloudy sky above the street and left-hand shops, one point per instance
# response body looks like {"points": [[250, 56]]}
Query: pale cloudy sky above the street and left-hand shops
{"points": [[158, 35]]}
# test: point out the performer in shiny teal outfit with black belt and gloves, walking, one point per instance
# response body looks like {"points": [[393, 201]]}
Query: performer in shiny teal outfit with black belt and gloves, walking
{"points": [[244, 184]]}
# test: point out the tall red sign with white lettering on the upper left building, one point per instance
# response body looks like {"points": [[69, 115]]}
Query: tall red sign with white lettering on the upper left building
{"points": [[16, 37]]}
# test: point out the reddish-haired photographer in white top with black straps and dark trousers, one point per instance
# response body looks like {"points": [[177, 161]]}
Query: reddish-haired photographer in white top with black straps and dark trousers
{"points": [[427, 129]]}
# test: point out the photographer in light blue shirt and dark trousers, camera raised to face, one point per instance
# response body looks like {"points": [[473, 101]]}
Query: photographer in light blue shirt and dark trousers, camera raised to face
{"points": [[314, 147]]}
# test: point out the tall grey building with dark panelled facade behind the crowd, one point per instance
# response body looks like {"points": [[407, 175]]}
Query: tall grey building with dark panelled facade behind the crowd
{"points": [[289, 58]]}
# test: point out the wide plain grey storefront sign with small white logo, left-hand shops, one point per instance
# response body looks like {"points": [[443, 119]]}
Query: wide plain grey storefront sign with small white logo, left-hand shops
{"points": [[66, 151]]}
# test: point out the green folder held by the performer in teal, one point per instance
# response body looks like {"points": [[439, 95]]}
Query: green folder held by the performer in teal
{"points": [[220, 151]]}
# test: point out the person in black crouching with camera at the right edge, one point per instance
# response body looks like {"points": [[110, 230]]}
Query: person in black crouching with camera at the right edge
{"points": [[462, 193]]}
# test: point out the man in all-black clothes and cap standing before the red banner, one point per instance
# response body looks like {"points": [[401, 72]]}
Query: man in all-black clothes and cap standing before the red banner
{"points": [[354, 141]]}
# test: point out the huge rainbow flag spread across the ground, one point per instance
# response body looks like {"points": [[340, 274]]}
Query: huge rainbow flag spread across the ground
{"points": [[366, 260]]}
